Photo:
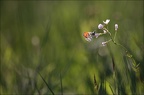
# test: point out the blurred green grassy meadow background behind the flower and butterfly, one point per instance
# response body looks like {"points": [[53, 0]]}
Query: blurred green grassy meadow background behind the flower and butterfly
{"points": [[46, 37]]}
